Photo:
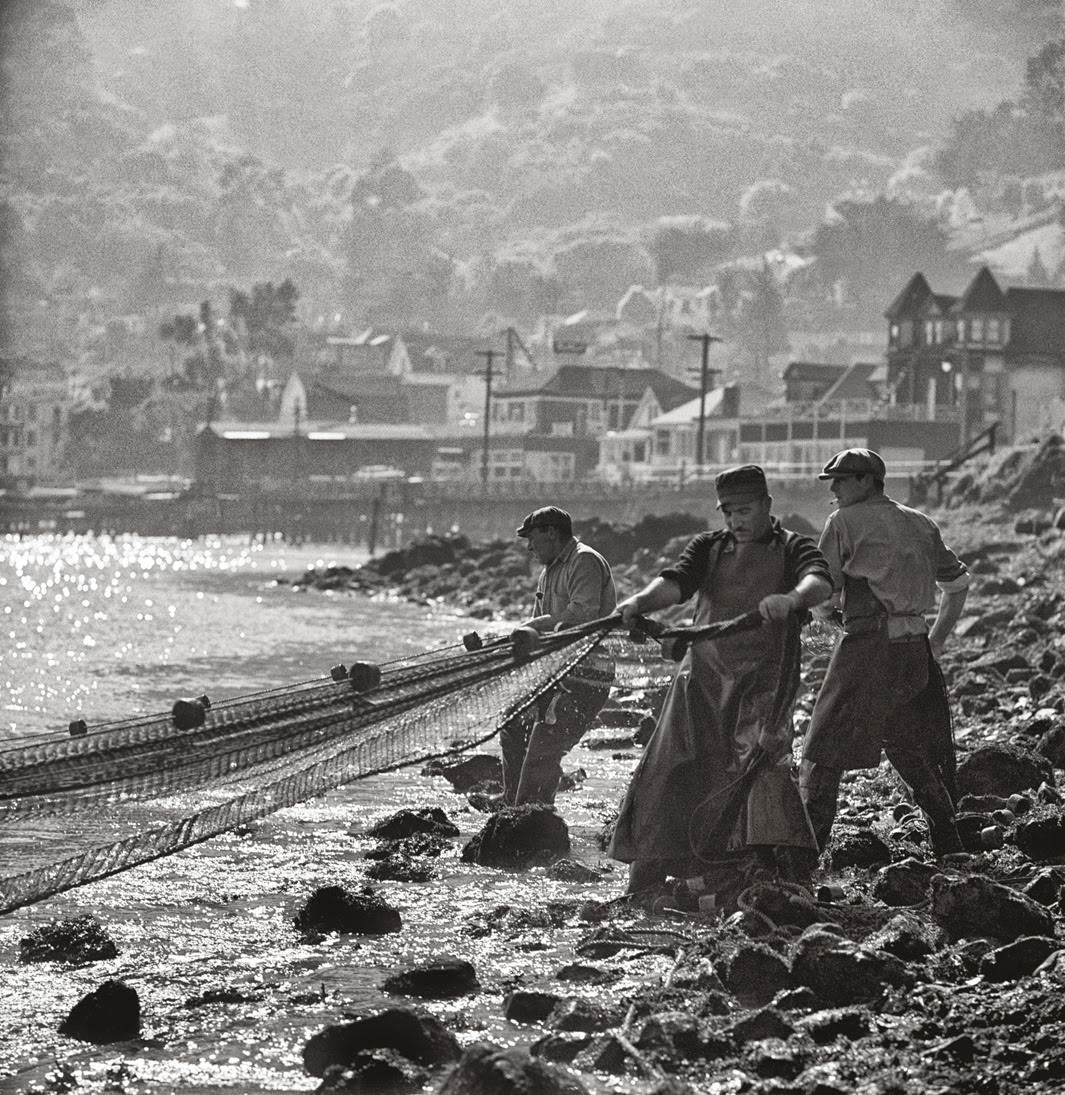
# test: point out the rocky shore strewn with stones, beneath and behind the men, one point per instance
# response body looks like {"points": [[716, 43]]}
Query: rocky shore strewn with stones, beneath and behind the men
{"points": [[897, 973]]}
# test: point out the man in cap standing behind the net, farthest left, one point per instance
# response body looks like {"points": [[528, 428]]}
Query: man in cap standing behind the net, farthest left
{"points": [[575, 586]]}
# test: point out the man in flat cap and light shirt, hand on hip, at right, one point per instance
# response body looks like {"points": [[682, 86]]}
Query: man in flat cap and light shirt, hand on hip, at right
{"points": [[884, 689]]}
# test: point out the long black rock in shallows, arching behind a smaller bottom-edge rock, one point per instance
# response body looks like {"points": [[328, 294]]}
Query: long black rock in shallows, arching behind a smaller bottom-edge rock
{"points": [[418, 1036]]}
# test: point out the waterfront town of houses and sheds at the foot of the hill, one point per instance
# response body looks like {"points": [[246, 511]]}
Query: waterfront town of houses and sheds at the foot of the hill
{"points": [[591, 405]]}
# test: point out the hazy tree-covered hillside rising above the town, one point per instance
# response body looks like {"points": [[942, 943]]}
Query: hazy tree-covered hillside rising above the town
{"points": [[433, 160]]}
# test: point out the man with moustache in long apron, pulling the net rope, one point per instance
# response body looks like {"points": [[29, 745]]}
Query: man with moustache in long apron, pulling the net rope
{"points": [[727, 717]]}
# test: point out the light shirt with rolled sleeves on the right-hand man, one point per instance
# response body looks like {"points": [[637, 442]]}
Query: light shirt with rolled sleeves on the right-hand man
{"points": [[901, 555]]}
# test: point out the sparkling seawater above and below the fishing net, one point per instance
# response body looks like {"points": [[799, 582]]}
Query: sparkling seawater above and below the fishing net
{"points": [[103, 629]]}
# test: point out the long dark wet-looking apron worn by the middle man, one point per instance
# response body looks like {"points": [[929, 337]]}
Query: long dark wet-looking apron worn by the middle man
{"points": [[722, 705]]}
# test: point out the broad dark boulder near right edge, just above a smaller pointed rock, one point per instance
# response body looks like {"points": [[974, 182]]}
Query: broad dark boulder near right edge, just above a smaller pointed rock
{"points": [[977, 906]]}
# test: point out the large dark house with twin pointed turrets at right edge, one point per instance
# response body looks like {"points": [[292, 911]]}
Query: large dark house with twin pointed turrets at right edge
{"points": [[992, 355]]}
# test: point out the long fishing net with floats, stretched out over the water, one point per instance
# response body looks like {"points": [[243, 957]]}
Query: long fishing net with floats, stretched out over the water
{"points": [[74, 810]]}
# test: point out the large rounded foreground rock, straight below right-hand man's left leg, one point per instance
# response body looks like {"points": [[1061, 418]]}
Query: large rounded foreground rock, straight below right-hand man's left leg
{"points": [[842, 972]]}
